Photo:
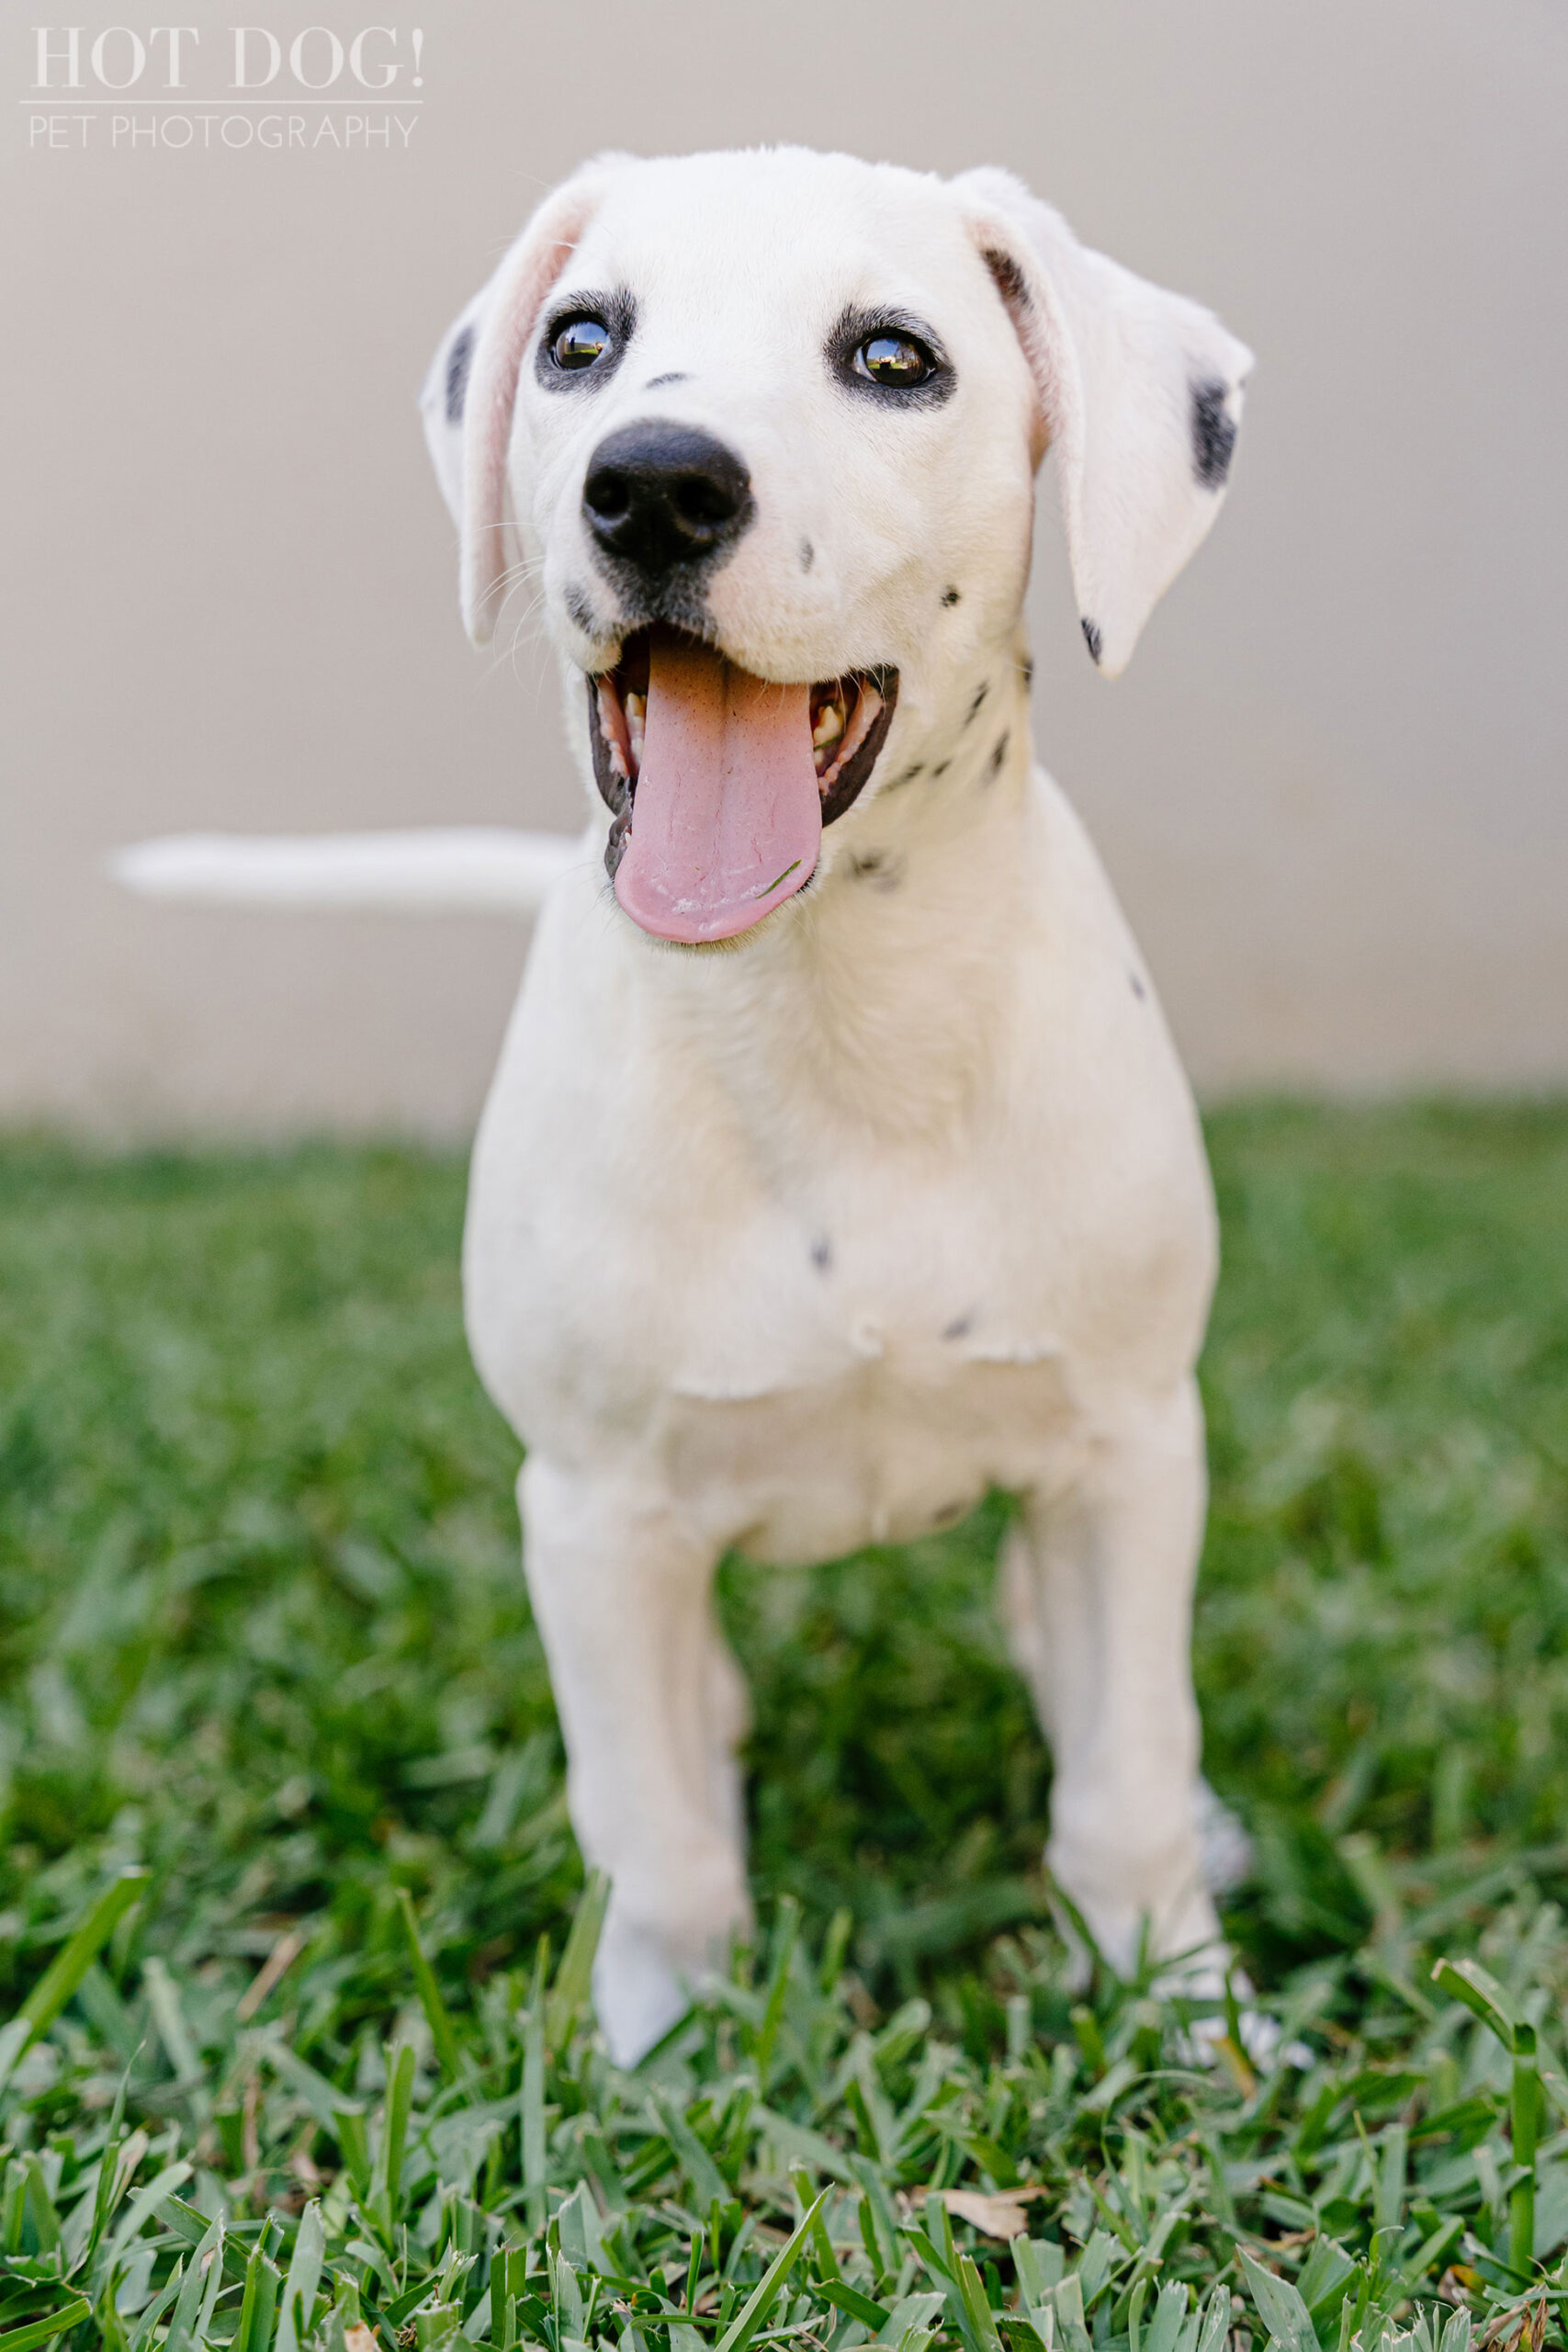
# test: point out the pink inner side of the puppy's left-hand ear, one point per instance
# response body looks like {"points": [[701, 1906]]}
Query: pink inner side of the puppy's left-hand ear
{"points": [[518, 295]]}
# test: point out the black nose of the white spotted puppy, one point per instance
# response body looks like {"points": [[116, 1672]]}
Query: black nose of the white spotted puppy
{"points": [[664, 495]]}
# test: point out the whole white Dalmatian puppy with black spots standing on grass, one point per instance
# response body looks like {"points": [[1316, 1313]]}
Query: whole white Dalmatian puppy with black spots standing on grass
{"points": [[838, 1165]]}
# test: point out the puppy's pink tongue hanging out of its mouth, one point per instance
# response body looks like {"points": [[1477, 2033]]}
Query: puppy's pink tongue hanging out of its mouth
{"points": [[728, 817]]}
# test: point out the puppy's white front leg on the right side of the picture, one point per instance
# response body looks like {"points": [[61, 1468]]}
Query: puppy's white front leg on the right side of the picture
{"points": [[1097, 1593]]}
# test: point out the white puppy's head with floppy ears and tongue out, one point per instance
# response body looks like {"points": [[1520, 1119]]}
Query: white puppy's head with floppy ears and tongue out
{"points": [[765, 429]]}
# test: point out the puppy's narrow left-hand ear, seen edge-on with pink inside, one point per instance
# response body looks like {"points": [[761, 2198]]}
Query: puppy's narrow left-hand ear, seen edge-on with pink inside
{"points": [[471, 392]]}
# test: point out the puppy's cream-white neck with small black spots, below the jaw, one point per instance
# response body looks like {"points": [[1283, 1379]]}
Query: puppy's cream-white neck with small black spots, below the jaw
{"points": [[880, 1003]]}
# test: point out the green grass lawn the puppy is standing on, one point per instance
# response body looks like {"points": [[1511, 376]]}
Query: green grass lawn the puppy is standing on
{"points": [[264, 1638]]}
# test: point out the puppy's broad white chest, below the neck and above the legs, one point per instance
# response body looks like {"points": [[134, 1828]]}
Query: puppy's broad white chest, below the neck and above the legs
{"points": [[810, 1330]]}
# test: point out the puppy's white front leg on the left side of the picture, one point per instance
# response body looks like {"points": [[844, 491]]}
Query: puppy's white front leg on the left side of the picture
{"points": [[652, 1709]]}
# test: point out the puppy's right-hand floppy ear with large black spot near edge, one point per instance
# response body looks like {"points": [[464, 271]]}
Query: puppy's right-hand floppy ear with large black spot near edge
{"points": [[1141, 394]]}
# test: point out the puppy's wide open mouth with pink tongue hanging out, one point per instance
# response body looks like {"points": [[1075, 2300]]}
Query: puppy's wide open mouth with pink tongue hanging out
{"points": [[723, 782]]}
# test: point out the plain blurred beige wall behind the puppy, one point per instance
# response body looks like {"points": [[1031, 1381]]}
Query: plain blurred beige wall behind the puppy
{"points": [[1332, 787]]}
